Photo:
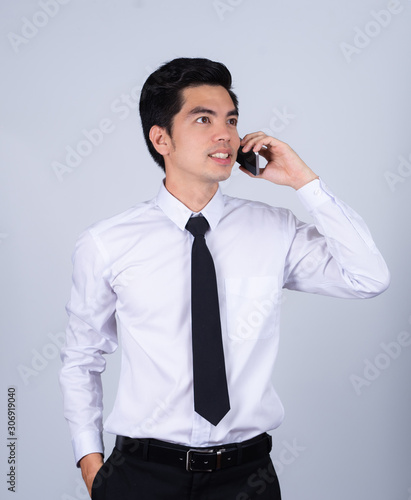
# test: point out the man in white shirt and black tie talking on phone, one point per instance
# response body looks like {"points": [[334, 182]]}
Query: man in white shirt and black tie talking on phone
{"points": [[137, 272]]}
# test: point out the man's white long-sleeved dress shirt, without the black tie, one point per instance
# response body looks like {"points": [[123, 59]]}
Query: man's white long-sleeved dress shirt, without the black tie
{"points": [[131, 279]]}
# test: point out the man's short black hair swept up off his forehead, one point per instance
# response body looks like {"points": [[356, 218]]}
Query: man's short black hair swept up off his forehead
{"points": [[162, 93]]}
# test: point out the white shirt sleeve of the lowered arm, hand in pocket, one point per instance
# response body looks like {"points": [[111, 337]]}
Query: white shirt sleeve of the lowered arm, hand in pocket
{"points": [[91, 333]]}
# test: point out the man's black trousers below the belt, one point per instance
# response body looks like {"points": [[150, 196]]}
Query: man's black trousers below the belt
{"points": [[127, 477]]}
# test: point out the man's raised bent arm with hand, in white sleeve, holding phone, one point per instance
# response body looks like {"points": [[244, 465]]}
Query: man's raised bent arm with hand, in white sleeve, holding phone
{"points": [[337, 256]]}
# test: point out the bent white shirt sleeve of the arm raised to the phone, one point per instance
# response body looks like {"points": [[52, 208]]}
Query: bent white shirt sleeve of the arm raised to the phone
{"points": [[335, 256]]}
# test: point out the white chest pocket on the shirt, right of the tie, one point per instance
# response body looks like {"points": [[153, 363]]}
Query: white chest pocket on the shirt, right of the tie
{"points": [[252, 307]]}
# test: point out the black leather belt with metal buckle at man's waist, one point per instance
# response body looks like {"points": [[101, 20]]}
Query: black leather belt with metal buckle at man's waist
{"points": [[196, 459]]}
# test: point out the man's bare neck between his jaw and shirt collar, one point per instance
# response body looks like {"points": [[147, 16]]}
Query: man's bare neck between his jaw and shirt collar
{"points": [[193, 196]]}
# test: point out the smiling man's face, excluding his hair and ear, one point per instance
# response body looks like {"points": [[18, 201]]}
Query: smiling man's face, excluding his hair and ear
{"points": [[204, 138]]}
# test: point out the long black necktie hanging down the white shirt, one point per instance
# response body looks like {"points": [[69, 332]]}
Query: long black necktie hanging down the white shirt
{"points": [[210, 382]]}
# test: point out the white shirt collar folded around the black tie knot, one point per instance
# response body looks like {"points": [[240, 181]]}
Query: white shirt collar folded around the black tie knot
{"points": [[179, 213]]}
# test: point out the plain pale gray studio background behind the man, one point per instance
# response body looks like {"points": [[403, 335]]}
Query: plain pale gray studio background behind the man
{"points": [[350, 122]]}
